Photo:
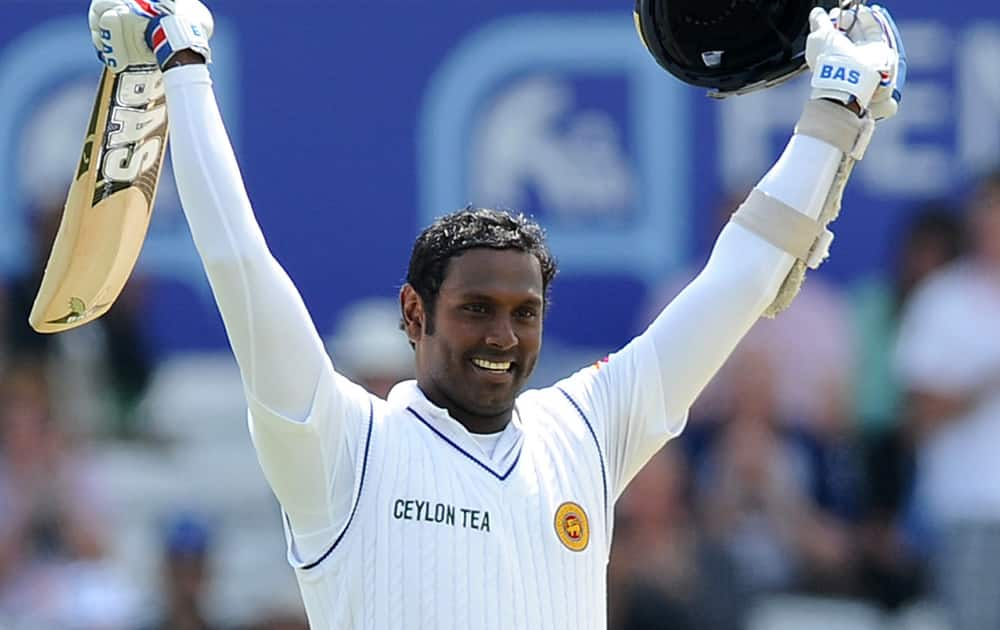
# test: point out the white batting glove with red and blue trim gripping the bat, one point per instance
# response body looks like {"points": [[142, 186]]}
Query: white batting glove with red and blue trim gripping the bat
{"points": [[146, 32]]}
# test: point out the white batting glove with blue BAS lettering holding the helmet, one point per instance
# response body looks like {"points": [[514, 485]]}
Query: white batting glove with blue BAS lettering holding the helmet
{"points": [[855, 56]]}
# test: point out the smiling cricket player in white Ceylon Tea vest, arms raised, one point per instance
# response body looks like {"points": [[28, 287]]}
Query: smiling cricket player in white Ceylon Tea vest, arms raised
{"points": [[461, 501]]}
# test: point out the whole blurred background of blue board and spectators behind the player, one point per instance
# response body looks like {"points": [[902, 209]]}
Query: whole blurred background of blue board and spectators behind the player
{"points": [[836, 474]]}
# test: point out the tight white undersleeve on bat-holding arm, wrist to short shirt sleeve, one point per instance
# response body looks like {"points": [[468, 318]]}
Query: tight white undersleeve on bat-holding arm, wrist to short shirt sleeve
{"points": [[280, 353]]}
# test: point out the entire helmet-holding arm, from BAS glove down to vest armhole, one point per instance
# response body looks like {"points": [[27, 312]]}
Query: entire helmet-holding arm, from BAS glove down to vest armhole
{"points": [[760, 258]]}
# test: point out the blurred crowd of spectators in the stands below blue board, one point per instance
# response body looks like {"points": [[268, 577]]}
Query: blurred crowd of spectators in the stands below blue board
{"points": [[839, 467]]}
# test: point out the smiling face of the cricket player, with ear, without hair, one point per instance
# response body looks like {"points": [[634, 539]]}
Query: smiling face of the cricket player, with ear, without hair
{"points": [[486, 335]]}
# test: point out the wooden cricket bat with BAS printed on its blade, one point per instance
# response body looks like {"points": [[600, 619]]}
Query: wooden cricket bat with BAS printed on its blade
{"points": [[110, 202]]}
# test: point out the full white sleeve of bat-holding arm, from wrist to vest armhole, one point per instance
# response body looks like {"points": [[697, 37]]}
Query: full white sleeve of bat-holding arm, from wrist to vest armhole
{"points": [[303, 449]]}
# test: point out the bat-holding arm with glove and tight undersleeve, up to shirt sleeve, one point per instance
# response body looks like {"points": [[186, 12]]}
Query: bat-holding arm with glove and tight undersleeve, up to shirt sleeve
{"points": [[276, 345]]}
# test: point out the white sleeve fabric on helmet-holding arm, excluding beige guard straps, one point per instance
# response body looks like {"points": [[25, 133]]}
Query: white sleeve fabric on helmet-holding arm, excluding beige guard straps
{"points": [[640, 397]]}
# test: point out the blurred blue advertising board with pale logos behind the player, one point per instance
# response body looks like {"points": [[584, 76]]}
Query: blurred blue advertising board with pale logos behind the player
{"points": [[357, 123]]}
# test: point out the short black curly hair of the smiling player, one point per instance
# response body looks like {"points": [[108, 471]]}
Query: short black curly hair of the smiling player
{"points": [[469, 228]]}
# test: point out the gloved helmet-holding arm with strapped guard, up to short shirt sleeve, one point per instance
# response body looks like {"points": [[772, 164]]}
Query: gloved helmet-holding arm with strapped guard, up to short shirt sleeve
{"points": [[780, 231]]}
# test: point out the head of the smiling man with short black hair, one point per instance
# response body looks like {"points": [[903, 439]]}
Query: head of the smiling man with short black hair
{"points": [[472, 307]]}
